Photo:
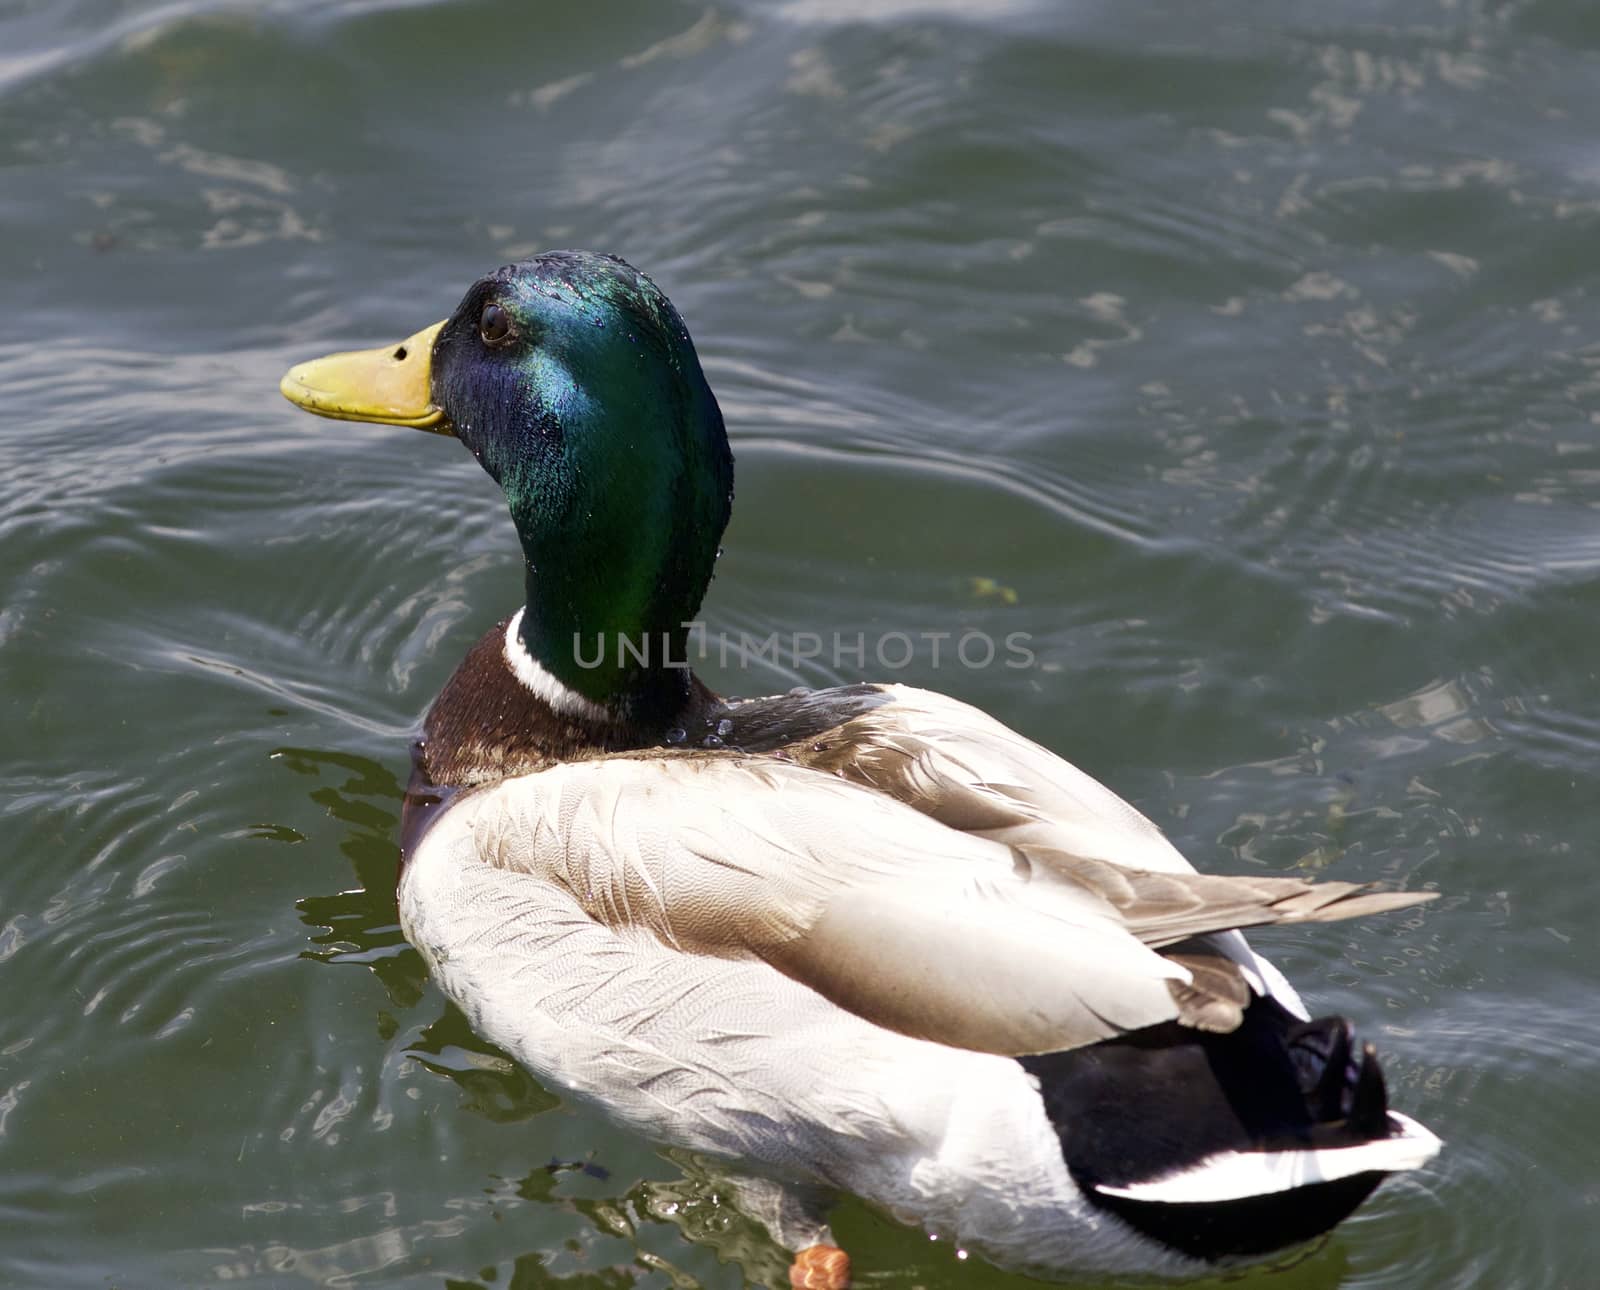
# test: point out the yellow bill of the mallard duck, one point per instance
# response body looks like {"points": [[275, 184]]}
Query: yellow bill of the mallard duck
{"points": [[391, 385]]}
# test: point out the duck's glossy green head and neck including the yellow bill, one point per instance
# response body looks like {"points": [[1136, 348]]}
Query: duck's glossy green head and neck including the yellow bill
{"points": [[575, 383]]}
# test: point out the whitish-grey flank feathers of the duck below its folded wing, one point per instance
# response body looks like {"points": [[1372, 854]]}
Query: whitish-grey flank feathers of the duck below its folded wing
{"points": [[737, 1060]]}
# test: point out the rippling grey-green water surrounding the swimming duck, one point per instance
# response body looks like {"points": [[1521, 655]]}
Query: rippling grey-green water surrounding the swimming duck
{"points": [[1247, 361]]}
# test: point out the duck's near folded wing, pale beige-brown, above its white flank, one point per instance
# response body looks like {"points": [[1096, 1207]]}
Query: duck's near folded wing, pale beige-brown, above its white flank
{"points": [[913, 926]]}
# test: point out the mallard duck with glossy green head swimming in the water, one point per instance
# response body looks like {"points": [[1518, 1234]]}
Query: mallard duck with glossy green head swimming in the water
{"points": [[862, 939]]}
